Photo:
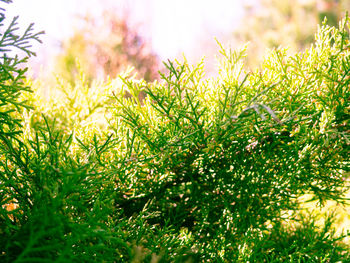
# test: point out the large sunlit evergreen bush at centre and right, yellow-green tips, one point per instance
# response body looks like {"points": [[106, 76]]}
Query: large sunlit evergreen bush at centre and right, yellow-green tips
{"points": [[222, 158]]}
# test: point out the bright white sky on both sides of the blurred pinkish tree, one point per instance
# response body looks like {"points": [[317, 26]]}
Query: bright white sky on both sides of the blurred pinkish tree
{"points": [[173, 26]]}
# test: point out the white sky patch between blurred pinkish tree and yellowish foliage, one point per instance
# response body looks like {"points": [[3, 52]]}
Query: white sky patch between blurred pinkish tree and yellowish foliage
{"points": [[179, 25]]}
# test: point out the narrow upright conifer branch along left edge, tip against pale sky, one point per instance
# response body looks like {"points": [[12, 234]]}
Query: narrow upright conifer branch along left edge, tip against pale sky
{"points": [[11, 87]]}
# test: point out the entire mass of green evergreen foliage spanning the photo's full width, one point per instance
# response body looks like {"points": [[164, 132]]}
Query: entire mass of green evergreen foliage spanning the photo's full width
{"points": [[201, 170]]}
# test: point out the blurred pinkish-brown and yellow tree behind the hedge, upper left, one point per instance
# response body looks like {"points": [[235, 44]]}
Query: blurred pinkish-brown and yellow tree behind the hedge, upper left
{"points": [[106, 49]]}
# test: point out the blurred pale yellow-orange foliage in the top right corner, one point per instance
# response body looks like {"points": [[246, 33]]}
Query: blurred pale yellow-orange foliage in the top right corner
{"points": [[287, 23]]}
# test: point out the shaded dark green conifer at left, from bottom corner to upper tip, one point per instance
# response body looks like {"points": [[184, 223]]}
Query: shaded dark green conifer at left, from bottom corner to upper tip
{"points": [[49, 208]]}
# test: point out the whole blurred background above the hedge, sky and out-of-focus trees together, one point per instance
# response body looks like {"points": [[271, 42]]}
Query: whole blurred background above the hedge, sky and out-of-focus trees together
{"points": [[104, 37]]}
